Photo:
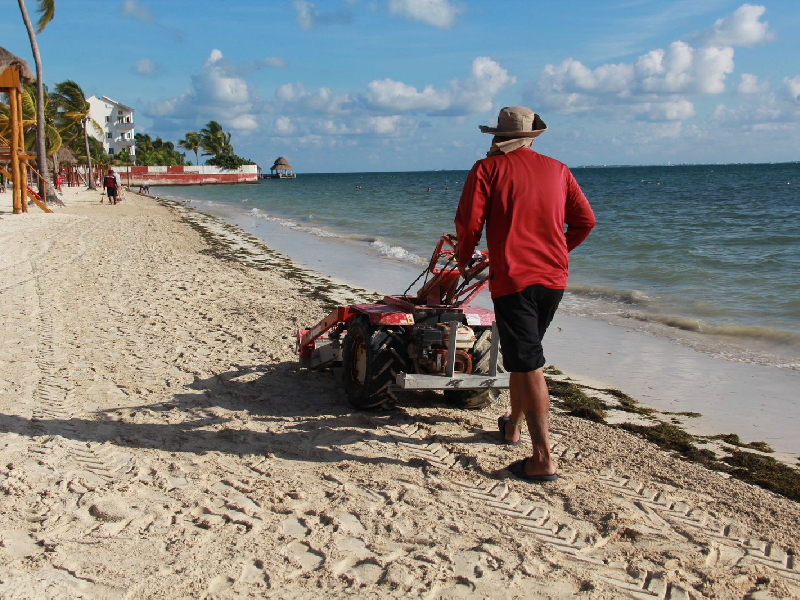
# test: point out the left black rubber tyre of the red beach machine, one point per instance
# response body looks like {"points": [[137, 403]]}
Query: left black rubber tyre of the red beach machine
{"points": [[371, 359]]}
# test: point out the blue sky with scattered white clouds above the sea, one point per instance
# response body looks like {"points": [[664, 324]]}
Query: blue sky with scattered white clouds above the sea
{"points": [[401, 85]]}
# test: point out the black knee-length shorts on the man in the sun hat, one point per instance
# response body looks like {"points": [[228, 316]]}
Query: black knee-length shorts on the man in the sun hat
{"points": [[522, 320]]}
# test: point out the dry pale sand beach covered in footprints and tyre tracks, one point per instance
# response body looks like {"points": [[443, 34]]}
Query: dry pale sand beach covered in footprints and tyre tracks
{"points": [[158, 439]]}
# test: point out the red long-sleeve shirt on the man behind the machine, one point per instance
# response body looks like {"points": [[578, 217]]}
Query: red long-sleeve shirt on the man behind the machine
{"points": [[525, 199]]}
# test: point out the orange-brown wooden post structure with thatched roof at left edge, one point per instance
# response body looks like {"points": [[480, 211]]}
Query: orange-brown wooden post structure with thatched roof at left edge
{"points": [[13, 72]]}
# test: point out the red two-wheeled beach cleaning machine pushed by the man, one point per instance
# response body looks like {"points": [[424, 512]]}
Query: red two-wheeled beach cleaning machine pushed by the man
{"points": [[431, 341]]}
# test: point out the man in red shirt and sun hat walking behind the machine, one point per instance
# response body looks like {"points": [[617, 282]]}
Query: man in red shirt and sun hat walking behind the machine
{"points": [[525, 199]]}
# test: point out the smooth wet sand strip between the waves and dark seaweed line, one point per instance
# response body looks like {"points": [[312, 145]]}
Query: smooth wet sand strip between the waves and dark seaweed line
{"points": [[748, 399]]}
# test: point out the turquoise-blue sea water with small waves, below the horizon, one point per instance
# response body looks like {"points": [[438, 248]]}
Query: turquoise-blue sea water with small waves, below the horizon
{"points": [[707, 255]]}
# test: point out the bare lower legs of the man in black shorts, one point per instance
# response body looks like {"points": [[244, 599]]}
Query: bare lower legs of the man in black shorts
{"points": [[530, 400]]}
